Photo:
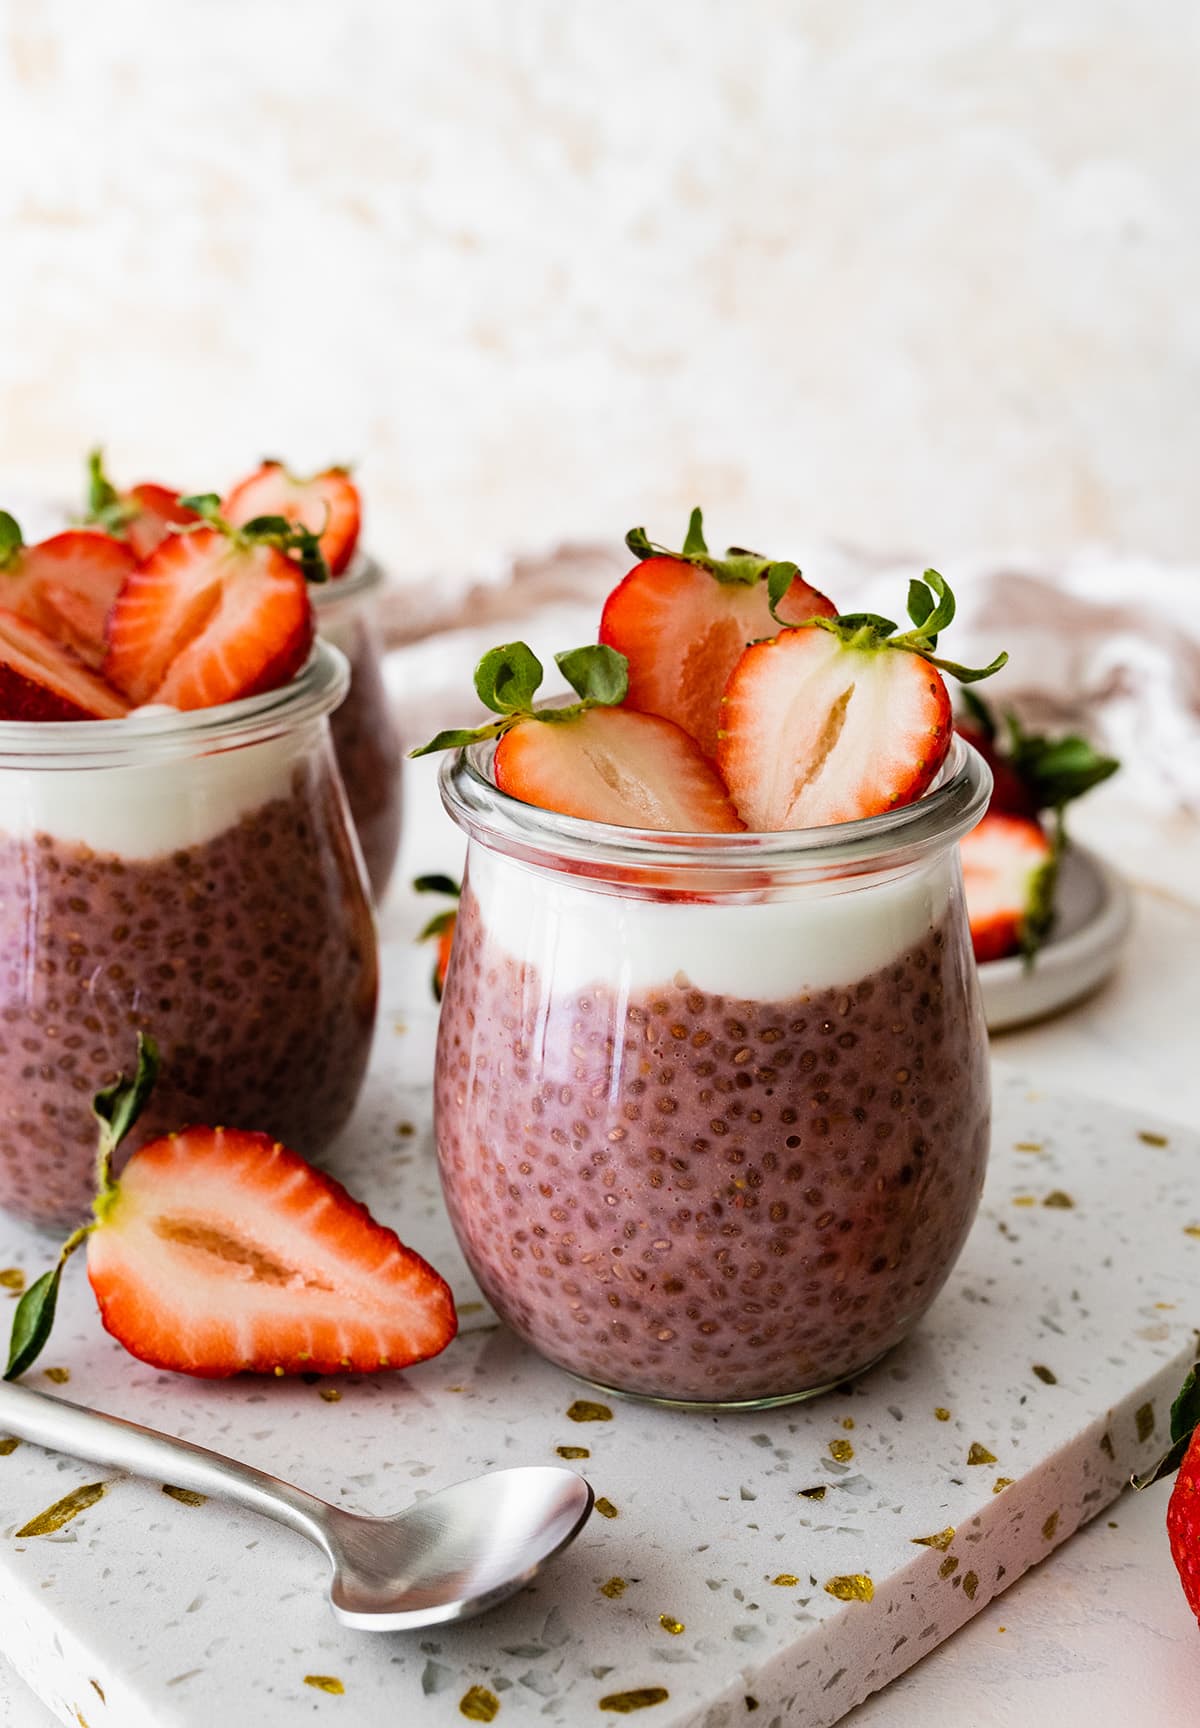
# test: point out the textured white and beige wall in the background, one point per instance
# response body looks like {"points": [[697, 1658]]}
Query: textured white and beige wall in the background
{"points": [[921, 276]]}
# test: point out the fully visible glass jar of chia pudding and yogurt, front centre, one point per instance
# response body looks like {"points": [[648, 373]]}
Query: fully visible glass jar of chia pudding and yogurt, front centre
{"points": [[713, 1114]]}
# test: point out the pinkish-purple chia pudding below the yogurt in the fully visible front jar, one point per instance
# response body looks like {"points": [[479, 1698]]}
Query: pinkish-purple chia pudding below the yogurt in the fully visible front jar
{"points": [[703, 1197]]}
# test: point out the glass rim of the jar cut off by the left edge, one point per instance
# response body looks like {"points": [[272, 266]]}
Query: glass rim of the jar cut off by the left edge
{"points": [[158, 734]]}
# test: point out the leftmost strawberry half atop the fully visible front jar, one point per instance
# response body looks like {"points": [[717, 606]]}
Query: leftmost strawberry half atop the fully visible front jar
{"points": [[592, 759]]}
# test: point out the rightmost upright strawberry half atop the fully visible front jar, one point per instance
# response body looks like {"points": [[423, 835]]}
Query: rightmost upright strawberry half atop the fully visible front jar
{"points": [[841, 718]]}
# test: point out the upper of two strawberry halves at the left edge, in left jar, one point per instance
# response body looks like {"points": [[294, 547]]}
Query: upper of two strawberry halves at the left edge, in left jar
{"points": [[65, 585]]}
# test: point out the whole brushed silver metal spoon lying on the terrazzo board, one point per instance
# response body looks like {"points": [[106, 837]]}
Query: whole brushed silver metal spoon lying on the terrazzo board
{"points": [[444, 1560]]}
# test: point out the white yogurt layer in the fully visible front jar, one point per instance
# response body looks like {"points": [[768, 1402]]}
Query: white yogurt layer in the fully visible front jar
{"points": [[763, 951]]}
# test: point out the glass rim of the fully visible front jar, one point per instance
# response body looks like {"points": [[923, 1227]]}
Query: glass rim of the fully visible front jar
{"points": [[893, 841]]}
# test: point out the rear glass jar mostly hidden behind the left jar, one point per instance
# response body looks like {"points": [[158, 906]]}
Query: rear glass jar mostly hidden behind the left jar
{"points": [[366, 734]]}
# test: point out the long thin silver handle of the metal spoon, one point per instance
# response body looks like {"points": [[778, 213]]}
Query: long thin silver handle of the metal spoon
{"points": [[113, 1442]]}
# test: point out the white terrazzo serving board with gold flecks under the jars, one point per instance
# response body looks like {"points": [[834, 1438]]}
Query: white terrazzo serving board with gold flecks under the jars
{"points": [[774, 1566]]}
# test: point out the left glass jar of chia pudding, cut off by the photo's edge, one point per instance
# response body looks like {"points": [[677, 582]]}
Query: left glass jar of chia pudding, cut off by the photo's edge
{"points": [[193, 877]]}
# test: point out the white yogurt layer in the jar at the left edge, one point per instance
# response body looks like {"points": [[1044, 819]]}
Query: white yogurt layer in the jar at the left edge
{"points": [[155, 806]]}
